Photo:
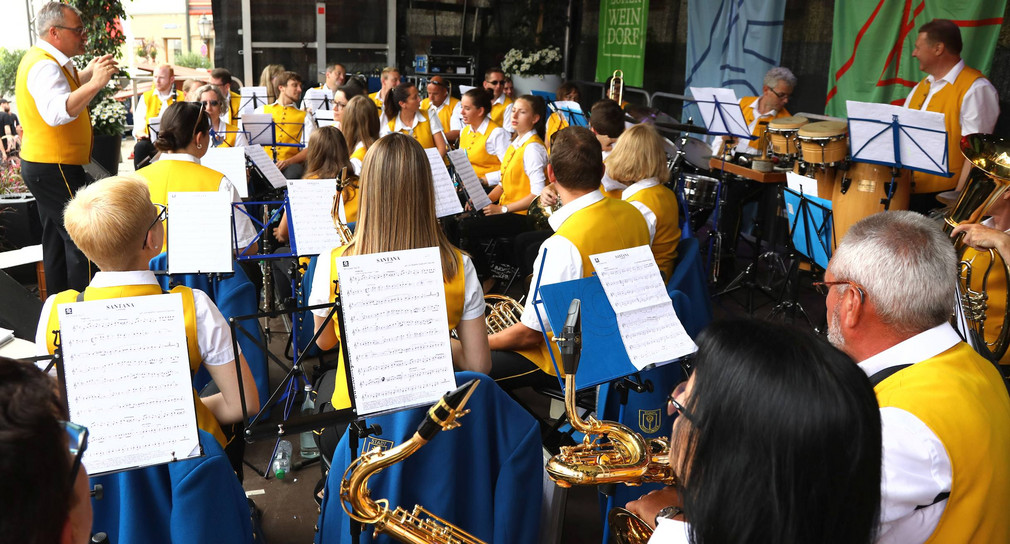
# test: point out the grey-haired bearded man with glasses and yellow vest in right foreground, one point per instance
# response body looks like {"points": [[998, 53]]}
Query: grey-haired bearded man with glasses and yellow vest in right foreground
{"points": [[945, 410]]}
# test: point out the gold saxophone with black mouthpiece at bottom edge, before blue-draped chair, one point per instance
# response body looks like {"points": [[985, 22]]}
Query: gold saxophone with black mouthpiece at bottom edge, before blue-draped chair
{"points": [[419, 526]]}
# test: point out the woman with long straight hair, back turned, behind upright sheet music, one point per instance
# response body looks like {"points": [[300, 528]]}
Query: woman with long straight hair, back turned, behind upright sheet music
{"points": [[397, 212]]}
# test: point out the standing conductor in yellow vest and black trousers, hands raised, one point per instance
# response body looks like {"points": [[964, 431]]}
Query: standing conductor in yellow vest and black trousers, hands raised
{"points": [[53, 98]]}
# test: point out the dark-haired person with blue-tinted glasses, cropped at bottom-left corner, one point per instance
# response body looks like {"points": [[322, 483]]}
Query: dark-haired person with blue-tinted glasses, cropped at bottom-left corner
{"points": [[46, 492]]}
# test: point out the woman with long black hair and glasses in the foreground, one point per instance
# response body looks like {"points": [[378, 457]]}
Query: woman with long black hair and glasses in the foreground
{"points": [[779, 442]]}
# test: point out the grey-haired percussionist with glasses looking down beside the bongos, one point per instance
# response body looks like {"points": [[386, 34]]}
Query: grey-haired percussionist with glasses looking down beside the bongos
{"points": [[777, 90]]}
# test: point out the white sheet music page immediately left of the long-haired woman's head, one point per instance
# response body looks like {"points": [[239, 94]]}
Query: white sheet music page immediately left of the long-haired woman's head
{"points": [[313, 226]]}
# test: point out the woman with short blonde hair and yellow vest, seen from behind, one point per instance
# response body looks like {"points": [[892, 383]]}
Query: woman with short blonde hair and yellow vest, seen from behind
{"points": [[640, 162]]}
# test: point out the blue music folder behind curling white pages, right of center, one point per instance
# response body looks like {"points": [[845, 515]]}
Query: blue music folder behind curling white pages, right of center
{"points": [[603, 356]]}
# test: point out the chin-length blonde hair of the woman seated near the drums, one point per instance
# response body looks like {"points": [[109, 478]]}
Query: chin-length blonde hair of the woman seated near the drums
{"points": [[639, 155]]}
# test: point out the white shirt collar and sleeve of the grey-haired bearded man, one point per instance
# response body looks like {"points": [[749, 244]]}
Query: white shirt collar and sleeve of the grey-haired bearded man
{"points": [[916, 467]]}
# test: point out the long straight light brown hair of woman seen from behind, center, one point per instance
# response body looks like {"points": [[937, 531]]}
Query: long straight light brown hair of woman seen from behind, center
{"points": [[397, 210]]}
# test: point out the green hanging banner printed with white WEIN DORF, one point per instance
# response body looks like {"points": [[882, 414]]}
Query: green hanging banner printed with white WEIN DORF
{"points": [[623, 40]]}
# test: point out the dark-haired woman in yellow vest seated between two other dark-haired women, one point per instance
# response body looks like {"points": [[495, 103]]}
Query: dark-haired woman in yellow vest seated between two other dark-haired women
{"points": [[485, 141]]}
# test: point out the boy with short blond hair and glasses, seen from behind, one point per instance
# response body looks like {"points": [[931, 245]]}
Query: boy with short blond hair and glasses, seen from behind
{"points": [[118, 228]]}
